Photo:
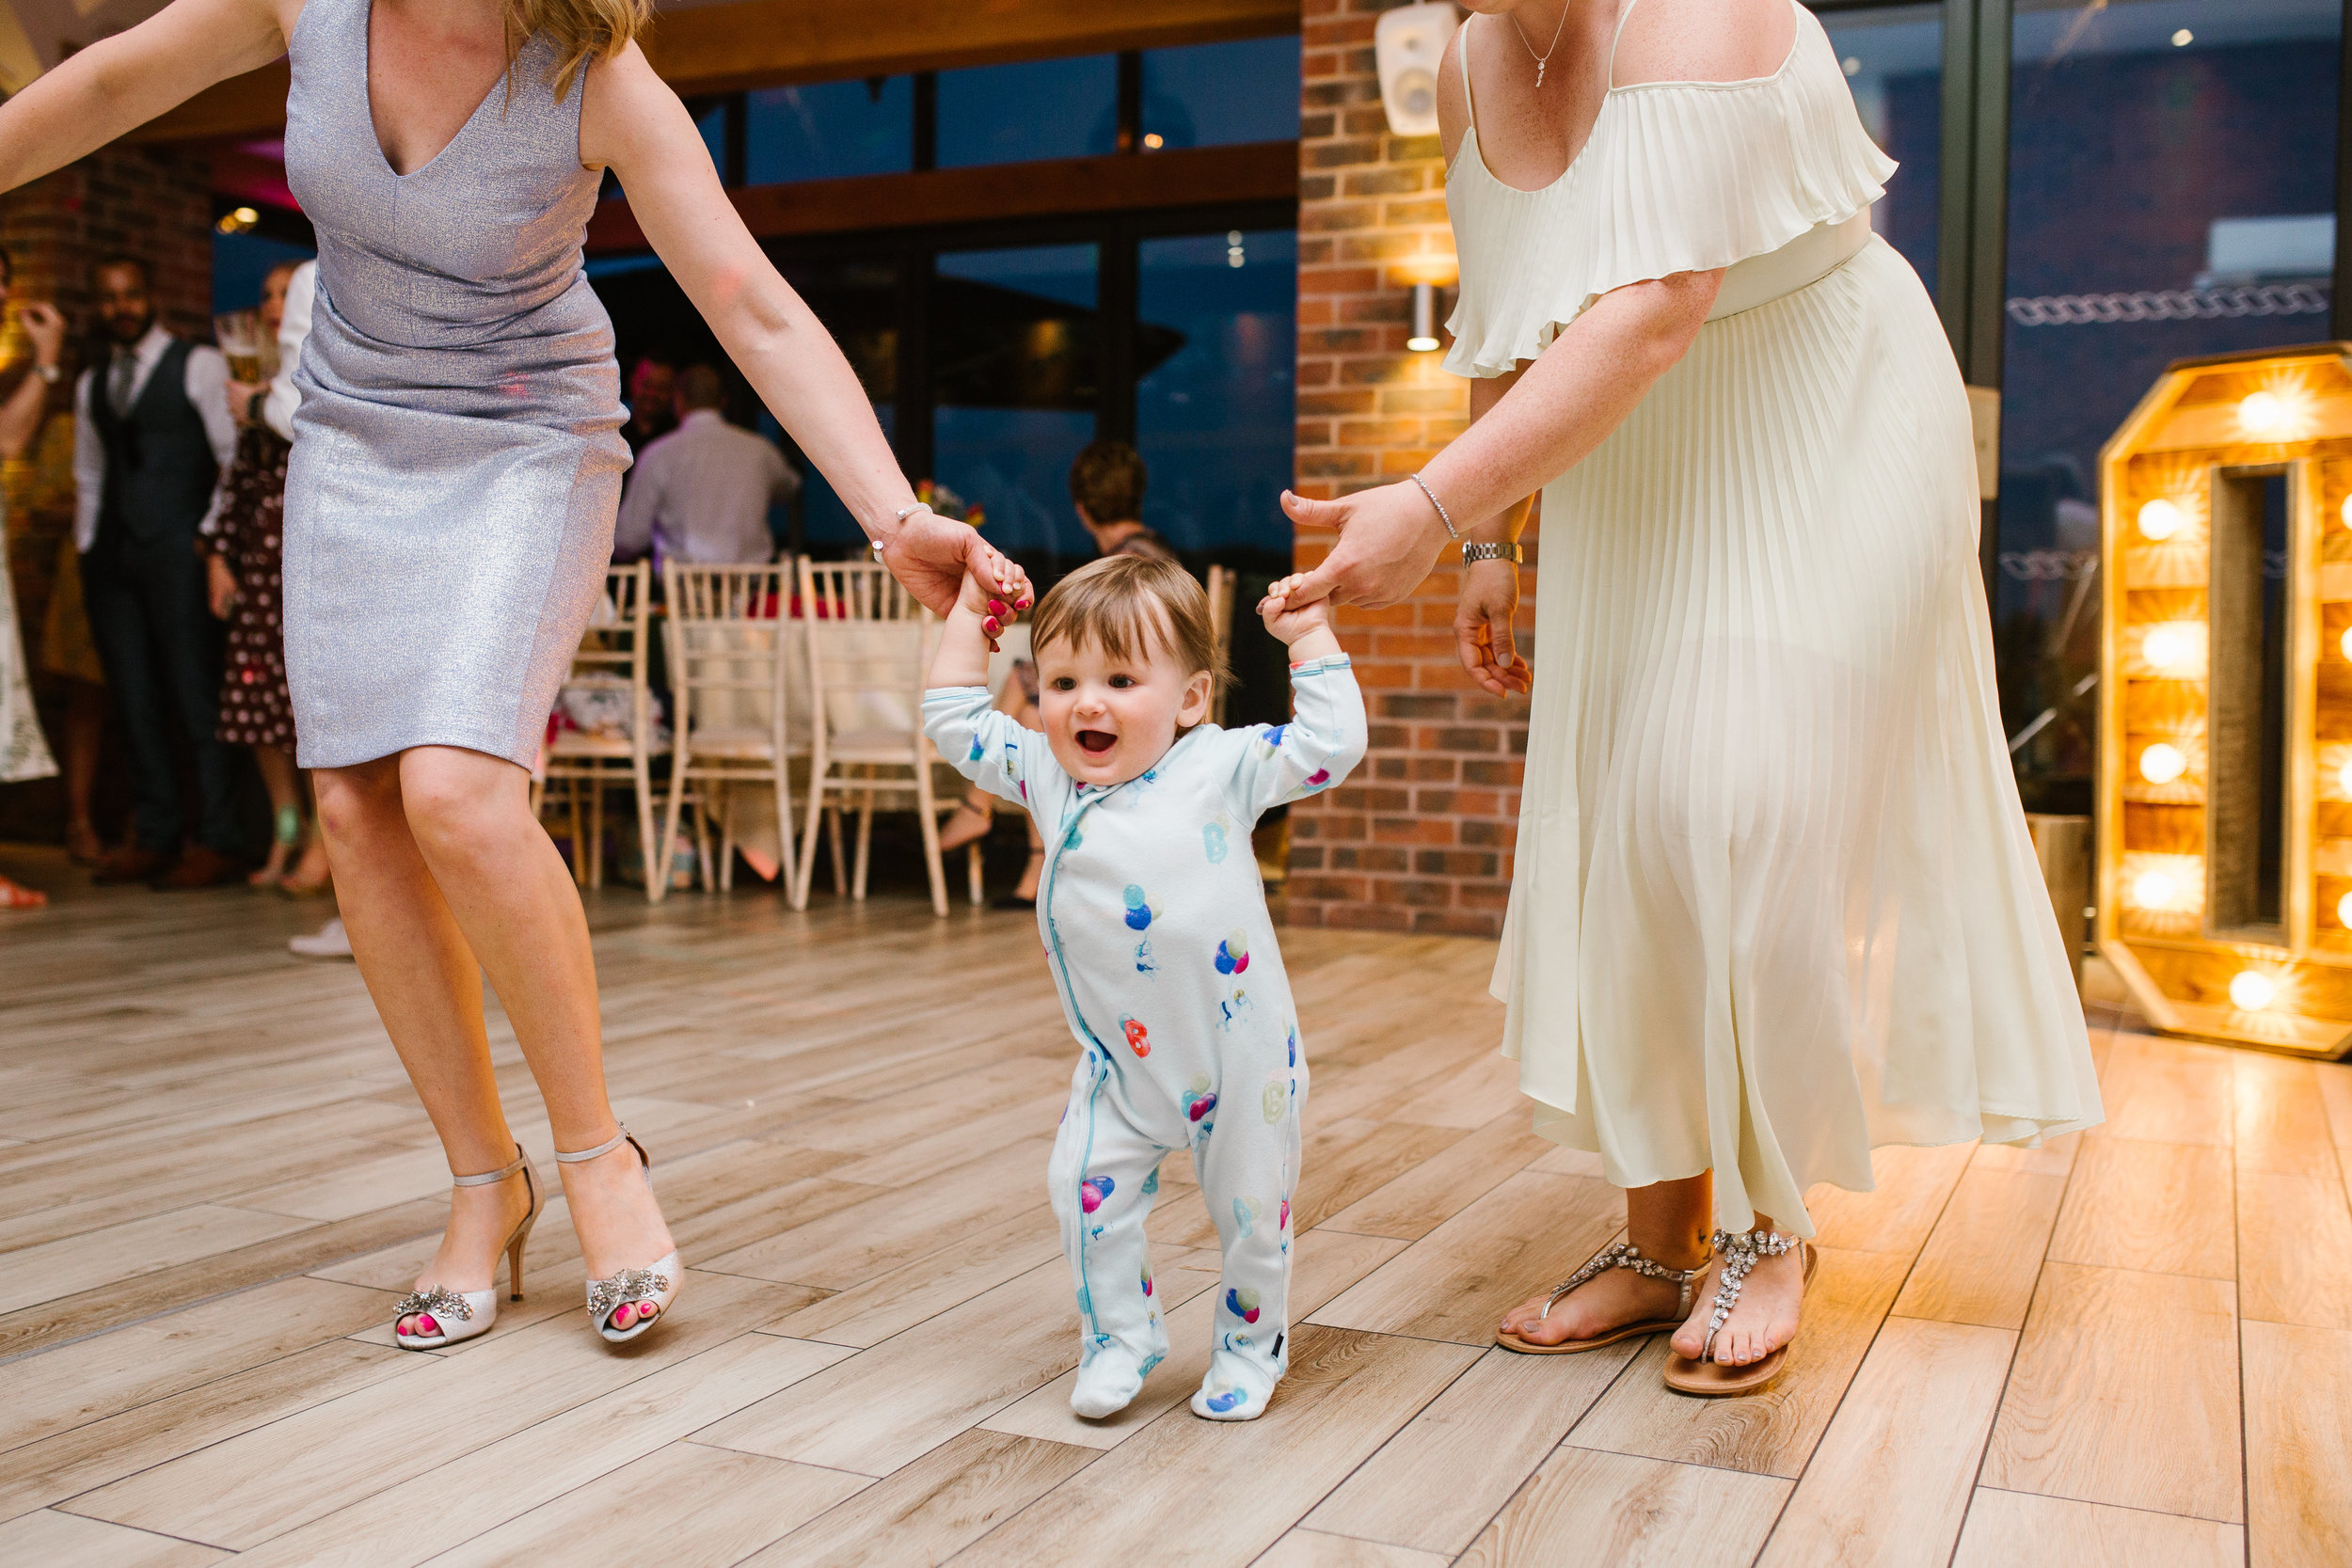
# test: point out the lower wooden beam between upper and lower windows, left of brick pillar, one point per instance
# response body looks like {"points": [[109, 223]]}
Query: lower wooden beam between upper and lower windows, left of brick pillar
{"points": [[1121, 182]]}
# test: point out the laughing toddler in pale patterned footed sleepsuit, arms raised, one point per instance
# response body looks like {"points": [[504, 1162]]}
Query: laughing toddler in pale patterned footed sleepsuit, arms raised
{"points": [[1158, 939]]}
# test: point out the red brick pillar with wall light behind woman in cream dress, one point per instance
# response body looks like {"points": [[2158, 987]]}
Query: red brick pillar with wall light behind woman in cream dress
{"points": [[1419, 838]]}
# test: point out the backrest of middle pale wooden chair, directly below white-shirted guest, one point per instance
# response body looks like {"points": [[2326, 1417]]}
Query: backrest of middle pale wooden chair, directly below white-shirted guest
{"points": [[728, 657]]}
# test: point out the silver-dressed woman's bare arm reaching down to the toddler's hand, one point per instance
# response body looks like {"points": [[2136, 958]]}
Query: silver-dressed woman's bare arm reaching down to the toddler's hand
{"points": [[636, 126]]}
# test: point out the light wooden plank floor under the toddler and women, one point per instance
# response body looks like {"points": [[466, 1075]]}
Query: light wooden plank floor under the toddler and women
{"points": [[2127, 1348]]}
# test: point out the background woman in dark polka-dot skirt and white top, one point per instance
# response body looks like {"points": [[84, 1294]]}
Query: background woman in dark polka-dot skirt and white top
{"points": [[246, 572]]}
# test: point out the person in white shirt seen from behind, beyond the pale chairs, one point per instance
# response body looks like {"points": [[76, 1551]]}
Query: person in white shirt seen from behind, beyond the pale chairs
{"points": [[702, 492]]}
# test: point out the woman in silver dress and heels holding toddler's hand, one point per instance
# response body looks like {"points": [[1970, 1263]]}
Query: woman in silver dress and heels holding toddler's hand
{"points": [[450, 507]]}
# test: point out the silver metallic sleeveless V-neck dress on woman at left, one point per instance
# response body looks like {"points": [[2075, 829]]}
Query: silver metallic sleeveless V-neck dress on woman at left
{"points": [[457, 453]]}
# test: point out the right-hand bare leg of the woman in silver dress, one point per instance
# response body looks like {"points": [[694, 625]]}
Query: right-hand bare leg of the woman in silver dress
{"points": [[512, 899]]}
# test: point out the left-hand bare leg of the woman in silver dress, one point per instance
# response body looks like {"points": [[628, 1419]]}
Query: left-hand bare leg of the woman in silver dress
{"points": [[429, 993]]}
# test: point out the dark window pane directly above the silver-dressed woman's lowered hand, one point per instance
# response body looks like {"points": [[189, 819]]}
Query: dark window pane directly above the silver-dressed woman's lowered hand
{"points": [[1017, 380]]}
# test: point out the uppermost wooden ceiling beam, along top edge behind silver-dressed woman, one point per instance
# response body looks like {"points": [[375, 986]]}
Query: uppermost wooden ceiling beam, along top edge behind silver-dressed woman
{"points": [[777, 43]]}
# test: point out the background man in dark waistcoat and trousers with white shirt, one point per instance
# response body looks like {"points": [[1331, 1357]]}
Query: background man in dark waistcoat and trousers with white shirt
{"points": [[149, 445]]}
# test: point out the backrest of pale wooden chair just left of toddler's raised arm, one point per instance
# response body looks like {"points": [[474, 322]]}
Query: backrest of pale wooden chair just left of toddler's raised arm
{"points": [[869, 643]]}
